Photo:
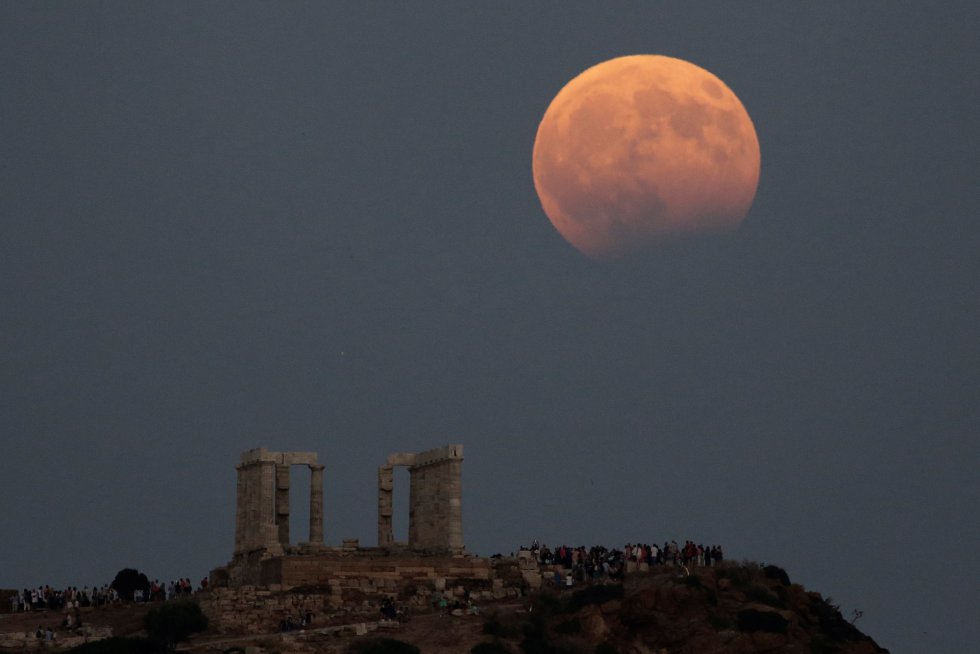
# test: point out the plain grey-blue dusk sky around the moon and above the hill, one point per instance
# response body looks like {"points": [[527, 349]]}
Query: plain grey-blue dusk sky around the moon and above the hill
{"points": [[314, 227]]}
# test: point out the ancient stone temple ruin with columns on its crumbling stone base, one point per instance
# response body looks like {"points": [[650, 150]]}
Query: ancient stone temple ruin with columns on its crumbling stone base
{"points": [[270, 578]]}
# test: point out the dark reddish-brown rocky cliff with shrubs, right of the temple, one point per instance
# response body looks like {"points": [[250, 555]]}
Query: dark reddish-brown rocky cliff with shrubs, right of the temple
{"points": [[731, 609]]}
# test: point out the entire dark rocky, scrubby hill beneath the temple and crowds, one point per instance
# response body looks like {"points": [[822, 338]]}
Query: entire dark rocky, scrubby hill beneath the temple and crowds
{"points": [[733, 608]]}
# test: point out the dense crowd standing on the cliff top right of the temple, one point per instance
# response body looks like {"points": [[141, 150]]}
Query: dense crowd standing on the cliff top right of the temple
{"points": [[598, 562]]}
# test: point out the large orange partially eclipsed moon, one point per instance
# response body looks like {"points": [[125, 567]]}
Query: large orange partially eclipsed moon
{"points": [[641, 150]]}
